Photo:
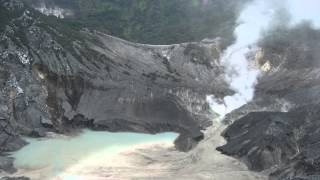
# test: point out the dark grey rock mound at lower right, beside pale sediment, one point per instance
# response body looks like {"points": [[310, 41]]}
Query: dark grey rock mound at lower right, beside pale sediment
{"points": [[267, 139]]}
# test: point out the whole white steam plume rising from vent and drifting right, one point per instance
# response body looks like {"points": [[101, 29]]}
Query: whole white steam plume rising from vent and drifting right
{"points": [[257, 17]]}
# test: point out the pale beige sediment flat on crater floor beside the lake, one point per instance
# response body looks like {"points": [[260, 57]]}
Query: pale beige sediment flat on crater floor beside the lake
{"points": [[160, 161]]}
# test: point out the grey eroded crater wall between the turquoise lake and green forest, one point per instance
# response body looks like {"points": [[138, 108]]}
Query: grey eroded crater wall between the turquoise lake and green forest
{"points": [[54, 78]]}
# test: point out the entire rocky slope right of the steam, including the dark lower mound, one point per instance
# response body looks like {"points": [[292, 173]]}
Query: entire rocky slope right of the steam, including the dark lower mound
{"points": [[278, 131]]}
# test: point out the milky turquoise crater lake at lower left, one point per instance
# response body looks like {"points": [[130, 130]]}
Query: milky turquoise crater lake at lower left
{"points": [[55, 155]]}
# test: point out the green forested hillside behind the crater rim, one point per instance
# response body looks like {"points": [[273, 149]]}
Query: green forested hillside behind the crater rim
{"points": [[154, 21]]}
